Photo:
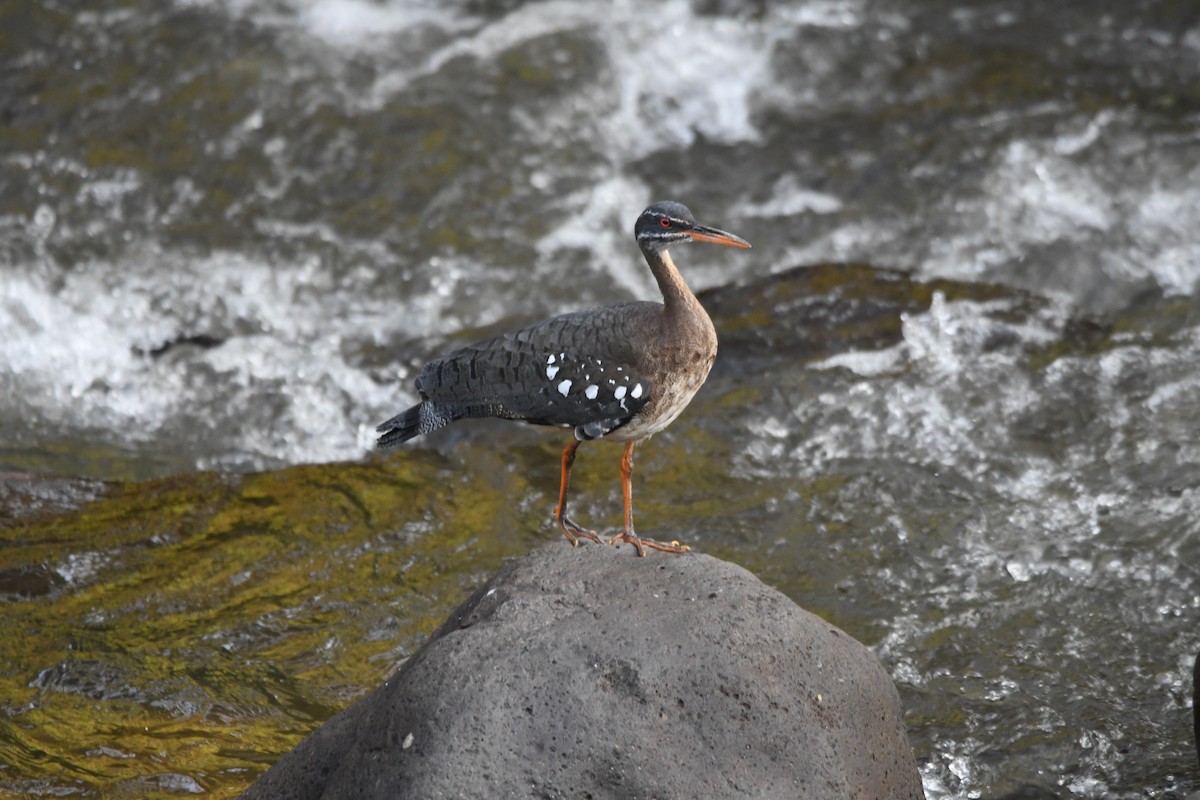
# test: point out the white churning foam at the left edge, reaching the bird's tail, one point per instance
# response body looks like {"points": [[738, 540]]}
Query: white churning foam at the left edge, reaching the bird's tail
{"points": [[280, 388]]}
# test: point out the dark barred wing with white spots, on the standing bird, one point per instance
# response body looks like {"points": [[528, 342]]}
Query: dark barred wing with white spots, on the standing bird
{"points": [[572, 371]]}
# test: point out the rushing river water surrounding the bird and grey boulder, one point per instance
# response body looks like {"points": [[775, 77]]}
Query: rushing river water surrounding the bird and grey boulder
{"points": [[967, 431]]}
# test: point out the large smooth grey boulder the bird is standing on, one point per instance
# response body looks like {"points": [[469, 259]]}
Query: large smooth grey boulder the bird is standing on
{"points": [[592, 673]]}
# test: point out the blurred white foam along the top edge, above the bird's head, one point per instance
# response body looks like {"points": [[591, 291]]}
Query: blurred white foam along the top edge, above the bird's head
{"points": [[692, 75]]}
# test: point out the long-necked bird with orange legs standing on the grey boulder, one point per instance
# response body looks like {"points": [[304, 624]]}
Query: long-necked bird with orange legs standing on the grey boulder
{"points": [[620, 374]]}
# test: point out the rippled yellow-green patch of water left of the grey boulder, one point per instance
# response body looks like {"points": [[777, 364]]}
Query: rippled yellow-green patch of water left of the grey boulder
{"points": [[208, 622]]}
